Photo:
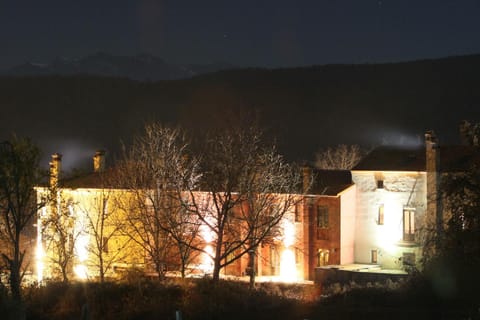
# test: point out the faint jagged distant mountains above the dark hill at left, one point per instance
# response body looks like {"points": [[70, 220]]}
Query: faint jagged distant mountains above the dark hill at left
{"points": [[142, 67]]}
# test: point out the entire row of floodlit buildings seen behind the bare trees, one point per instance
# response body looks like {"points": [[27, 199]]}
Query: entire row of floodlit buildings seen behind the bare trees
{"points": [[369, 218]]}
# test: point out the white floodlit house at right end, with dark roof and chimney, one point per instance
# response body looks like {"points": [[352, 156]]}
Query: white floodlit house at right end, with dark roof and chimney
{"points": [[398, 200]]}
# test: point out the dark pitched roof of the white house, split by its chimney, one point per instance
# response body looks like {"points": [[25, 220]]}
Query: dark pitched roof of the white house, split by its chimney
{"points": [[389, 158]]}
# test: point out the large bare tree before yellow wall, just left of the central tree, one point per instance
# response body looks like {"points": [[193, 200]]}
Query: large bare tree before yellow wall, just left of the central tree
{"points": [[156, 170]]}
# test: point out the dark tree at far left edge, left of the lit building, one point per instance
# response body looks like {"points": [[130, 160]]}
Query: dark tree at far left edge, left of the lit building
{"points": [[19, 174]]}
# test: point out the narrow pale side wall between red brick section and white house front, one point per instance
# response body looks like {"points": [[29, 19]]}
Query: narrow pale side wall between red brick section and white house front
{"points": [[347, 225]]}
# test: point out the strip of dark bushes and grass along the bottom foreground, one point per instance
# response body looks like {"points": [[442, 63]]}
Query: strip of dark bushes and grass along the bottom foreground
{"points": [[419, 298]]}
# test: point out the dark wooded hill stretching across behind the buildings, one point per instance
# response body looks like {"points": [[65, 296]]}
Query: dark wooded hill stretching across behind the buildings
{"points": [[303, 108]]}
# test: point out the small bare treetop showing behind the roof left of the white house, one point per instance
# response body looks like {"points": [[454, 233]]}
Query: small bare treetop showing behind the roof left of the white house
{"points": [[343, 157]]}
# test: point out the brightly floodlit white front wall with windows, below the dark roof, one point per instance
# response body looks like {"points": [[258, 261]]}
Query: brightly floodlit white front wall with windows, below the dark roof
{"points": [[400, 190]]}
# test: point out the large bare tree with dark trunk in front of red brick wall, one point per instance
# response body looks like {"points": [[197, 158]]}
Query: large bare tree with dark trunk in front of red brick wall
{"points": [[243, 181]]}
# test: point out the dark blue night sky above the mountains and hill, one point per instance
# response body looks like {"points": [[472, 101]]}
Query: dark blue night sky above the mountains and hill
{"points": [[269, 33]]}
